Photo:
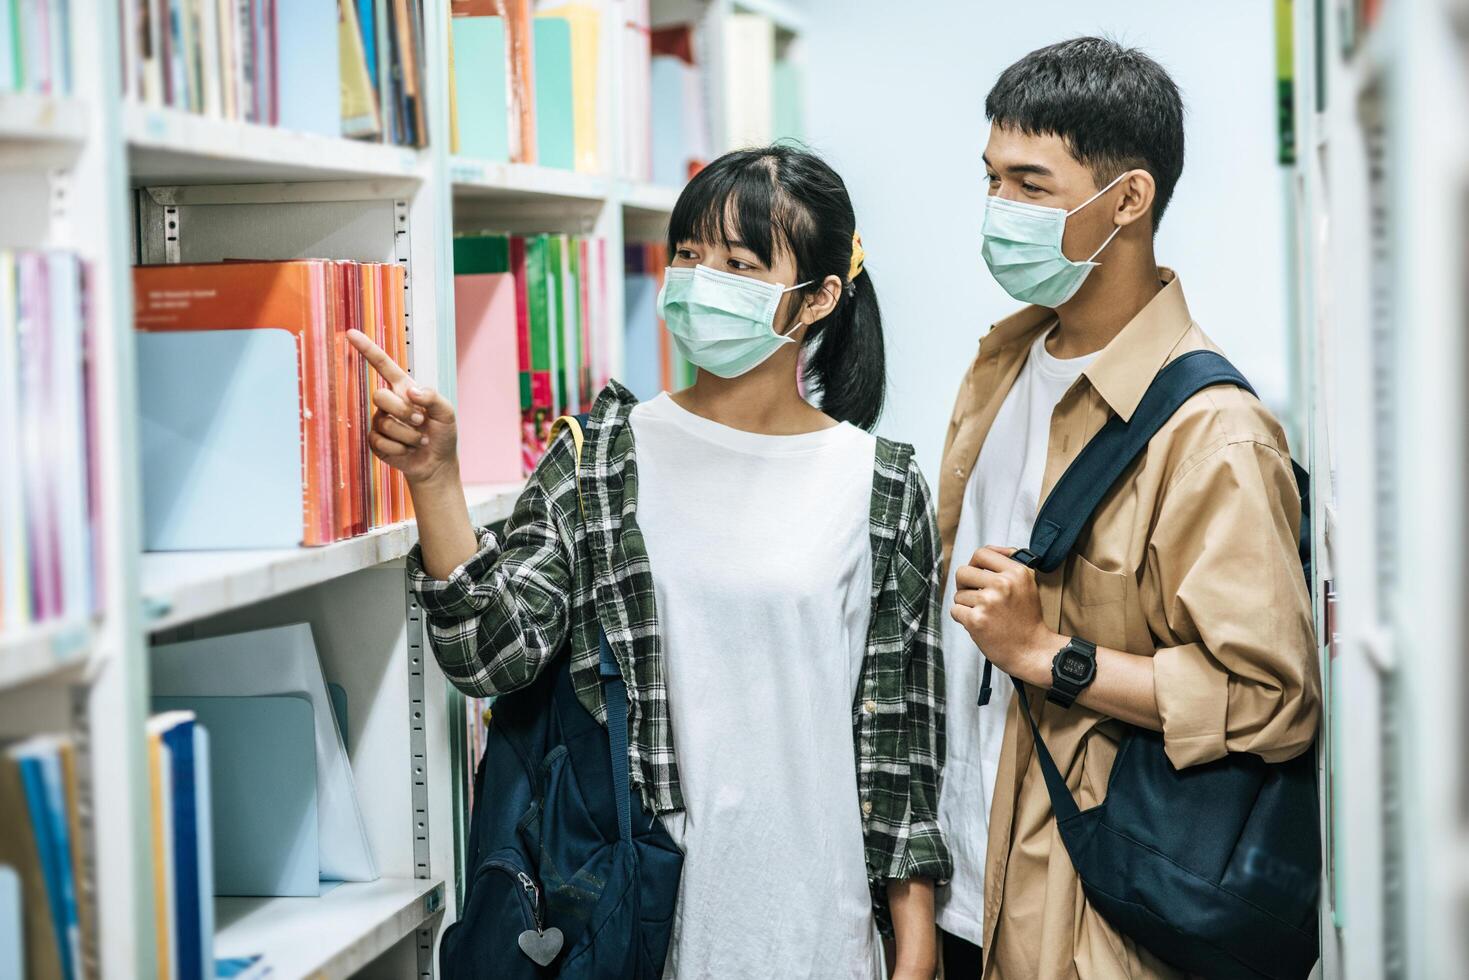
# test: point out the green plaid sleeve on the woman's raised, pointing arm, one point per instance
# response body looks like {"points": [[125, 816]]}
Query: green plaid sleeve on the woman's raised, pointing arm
{"points": [[500, 619]]}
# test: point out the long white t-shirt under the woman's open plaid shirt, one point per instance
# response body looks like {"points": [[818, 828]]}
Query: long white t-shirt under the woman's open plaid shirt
{"points": [[762, 565]]}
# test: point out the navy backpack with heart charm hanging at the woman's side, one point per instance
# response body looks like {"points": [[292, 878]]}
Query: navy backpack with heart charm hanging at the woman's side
{"points": [[571, 878]]}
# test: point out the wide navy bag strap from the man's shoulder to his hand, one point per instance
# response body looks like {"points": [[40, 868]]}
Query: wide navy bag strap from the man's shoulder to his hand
{"points": [[1104, 461]]}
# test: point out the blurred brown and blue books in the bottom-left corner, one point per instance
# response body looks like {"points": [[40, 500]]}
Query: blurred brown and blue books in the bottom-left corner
{"points": [[42, 847]]}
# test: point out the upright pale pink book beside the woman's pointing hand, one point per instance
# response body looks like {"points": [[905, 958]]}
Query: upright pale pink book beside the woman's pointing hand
{"points": [[488, 378]]}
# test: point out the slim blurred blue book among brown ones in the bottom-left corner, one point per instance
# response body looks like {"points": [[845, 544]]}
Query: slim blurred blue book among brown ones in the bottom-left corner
{"points": [[42, 777]]}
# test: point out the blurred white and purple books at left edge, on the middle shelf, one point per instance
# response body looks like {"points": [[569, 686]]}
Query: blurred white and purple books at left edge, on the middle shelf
{"points": [[49, 528]]}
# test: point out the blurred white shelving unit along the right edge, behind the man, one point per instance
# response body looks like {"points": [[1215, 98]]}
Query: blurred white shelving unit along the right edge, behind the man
{"points": [[1383, 314]]}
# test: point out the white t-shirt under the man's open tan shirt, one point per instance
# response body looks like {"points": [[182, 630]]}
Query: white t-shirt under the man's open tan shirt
{"points": [[1000, 509]]}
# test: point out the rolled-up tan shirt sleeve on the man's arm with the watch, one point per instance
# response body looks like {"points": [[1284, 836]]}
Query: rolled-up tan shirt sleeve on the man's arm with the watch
{"points": [[1242, 675]]}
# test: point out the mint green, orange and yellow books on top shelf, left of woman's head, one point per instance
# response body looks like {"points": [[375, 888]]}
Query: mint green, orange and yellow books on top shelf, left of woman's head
{"points": [[527, 82]]}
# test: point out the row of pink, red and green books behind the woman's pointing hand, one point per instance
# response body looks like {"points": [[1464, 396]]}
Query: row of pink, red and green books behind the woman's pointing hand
{"points": [[560, 334]]}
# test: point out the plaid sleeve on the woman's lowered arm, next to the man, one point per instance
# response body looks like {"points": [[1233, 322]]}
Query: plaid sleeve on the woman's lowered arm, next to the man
{"points": [[920, 850]]}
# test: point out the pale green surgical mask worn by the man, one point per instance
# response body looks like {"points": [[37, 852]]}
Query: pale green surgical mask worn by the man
{"points": [[1023, 251]]}
